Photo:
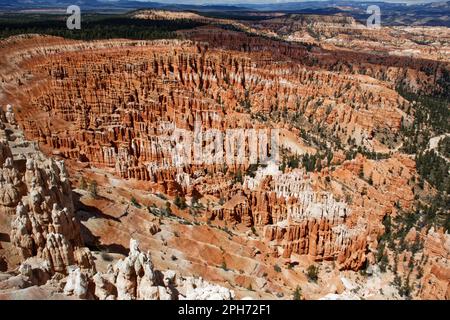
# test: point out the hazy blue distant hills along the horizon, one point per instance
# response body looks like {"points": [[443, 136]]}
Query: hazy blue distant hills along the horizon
{"points": [[429, 14]]}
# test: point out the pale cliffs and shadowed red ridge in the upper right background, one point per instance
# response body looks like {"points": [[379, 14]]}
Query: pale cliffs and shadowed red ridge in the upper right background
{"points": [[405, 62]]}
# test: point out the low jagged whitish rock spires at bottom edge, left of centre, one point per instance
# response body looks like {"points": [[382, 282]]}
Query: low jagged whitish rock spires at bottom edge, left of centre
{"points": [[135, 277]]}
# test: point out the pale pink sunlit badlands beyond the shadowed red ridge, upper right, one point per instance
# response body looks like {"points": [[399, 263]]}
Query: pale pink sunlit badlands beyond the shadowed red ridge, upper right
{"points": [[343, 32]]}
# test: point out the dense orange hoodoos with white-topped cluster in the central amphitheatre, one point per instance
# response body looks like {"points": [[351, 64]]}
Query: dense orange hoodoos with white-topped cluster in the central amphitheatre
{"points": [[123, 113]]}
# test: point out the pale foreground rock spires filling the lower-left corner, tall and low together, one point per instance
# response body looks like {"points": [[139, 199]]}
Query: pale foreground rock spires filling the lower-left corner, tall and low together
{"points": [[47, 234]]}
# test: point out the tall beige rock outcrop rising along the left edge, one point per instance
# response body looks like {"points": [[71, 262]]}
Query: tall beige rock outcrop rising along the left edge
{"points": [[38, 190]]}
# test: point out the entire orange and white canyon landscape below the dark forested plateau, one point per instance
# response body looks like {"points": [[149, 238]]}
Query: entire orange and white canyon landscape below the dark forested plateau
{"points": [[342, 193]]}
